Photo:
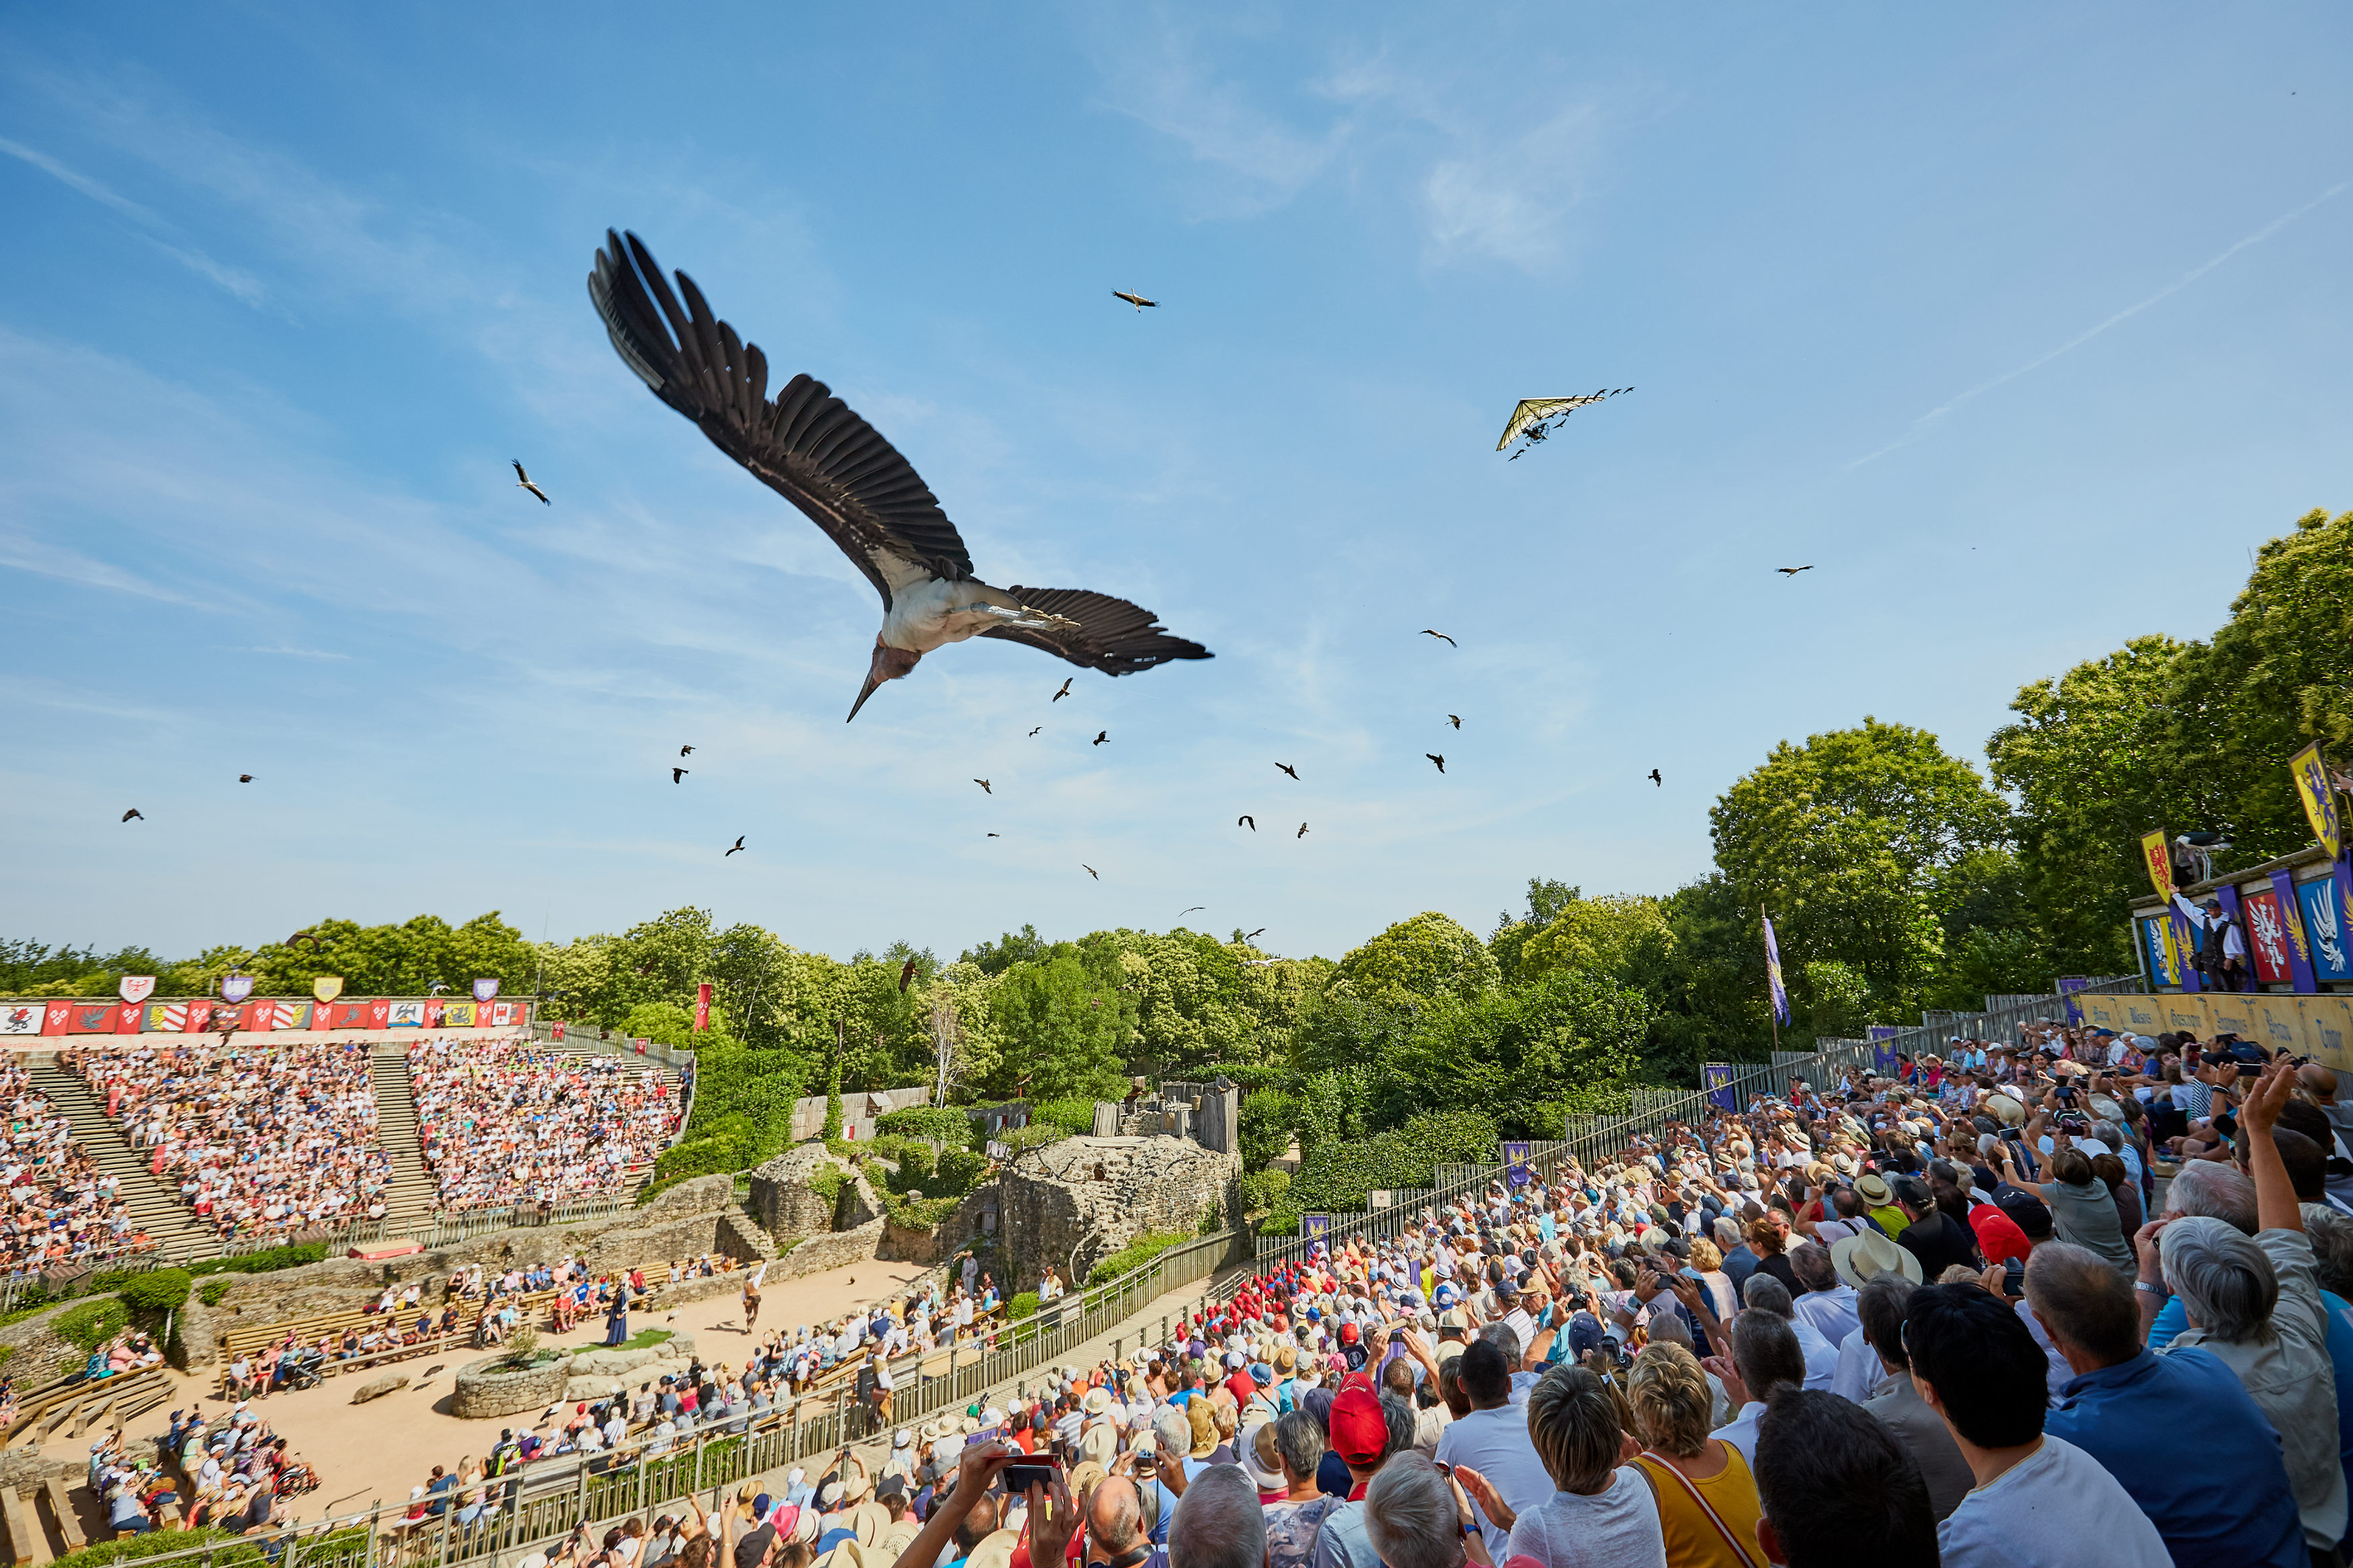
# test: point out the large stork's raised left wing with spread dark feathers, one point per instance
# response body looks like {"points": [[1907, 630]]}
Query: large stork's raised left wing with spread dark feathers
{"points": [[804, 443]]}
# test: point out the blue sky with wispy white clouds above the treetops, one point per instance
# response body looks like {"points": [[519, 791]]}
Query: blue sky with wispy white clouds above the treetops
{"points": [[2022, 326]]}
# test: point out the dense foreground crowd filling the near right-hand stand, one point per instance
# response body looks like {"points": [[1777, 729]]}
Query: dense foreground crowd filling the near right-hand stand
{"points": [[1881, 1322]]}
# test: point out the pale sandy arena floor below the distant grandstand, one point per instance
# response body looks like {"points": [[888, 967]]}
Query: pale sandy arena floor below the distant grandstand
{"points": [[392, 1445]]}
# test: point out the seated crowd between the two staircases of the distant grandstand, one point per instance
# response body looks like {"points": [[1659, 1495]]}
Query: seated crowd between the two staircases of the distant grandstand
{"points": [[255, 1137]]}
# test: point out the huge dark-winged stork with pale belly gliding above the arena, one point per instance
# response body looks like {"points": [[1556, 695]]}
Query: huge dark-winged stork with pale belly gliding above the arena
{"points": [[806, 445]]}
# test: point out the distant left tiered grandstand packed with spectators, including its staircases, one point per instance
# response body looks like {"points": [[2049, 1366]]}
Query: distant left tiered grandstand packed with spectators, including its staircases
{"points": [[185, 1146]]}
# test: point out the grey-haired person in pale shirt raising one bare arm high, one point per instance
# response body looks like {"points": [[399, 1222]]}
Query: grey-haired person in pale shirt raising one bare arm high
{"points": [[2255, 1306]]}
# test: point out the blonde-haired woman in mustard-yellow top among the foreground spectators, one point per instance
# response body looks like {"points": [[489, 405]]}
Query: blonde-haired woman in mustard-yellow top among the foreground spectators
{"points": [[1707, 1499]]}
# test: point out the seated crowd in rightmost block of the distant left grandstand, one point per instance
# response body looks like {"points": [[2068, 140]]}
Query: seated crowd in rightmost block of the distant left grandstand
{"points": [[505, 1123]]}
